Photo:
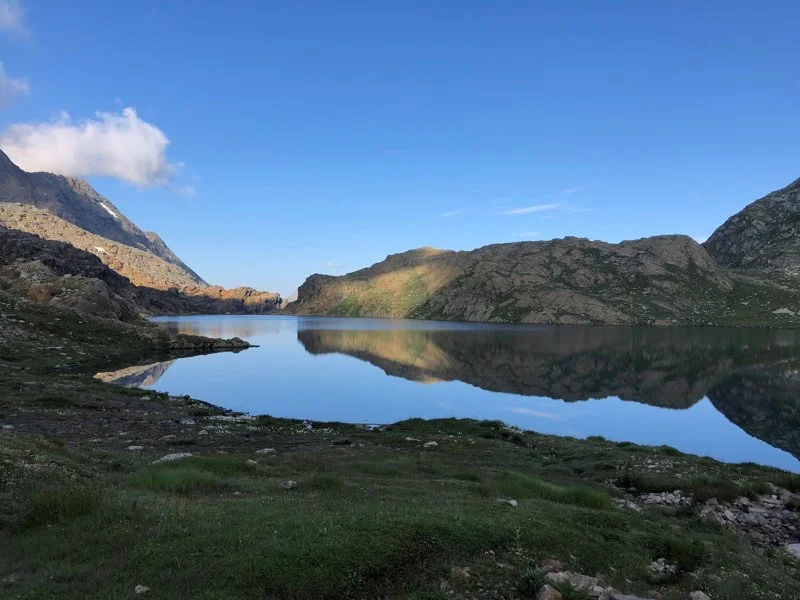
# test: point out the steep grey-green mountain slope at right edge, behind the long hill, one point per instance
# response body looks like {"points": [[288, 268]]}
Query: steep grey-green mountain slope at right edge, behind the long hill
{"points": [[764, 237]]}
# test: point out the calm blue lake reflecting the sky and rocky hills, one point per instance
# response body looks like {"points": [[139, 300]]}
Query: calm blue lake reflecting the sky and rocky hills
{"points": [[730, 394]]}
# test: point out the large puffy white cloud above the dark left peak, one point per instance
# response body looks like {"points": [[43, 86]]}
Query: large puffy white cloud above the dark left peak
{"points": [[119, 145]]}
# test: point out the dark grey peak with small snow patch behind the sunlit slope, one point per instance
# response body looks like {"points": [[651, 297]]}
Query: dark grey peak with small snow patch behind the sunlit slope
{"points": [[76, 202]]}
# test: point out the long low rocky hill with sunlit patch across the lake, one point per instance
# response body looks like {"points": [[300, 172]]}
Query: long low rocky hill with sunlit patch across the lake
{"points": [[660, 280]]}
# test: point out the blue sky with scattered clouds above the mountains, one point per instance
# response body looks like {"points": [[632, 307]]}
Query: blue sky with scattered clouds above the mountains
{"points": [[265, 141]]}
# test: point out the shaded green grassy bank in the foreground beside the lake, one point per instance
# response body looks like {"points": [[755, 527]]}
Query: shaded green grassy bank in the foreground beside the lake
{"points": [[335, 510]]}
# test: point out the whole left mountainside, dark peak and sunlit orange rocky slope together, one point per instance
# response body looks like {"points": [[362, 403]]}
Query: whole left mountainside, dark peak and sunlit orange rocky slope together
{"points": [[52, 208]]}
